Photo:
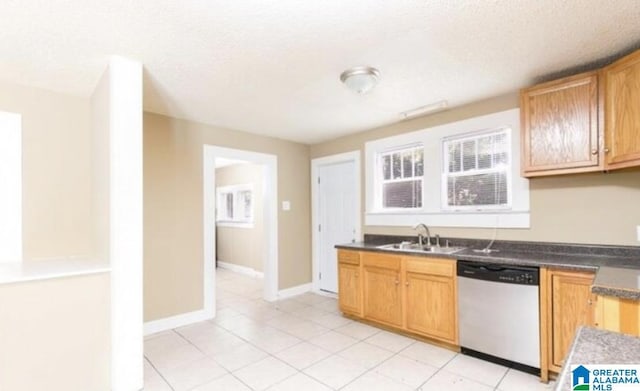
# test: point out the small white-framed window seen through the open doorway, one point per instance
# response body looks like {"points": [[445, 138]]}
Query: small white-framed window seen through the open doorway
{"points": [[237, 219]]}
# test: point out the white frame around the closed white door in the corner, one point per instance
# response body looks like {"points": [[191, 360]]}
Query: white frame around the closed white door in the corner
{"points": [[352, 156]]}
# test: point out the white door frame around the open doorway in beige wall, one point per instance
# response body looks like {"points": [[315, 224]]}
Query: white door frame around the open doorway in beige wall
{"points": [[270, 175]]}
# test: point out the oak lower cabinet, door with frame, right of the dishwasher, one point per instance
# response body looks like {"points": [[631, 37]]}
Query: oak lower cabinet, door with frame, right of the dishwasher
{"points": [[567, 303]]}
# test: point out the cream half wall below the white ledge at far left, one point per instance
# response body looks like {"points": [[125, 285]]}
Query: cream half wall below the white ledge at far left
{"points": [[54, 334]]}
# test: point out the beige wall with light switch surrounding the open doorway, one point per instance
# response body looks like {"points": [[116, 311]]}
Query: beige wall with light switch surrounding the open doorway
{"points": [[173, 242]]}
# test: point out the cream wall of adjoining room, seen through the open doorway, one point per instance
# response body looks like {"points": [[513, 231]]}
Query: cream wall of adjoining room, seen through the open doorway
{"points": [[243, 246]]}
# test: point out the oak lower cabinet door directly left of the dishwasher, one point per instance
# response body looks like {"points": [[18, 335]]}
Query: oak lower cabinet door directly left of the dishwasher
{"points": [[431, 306]]}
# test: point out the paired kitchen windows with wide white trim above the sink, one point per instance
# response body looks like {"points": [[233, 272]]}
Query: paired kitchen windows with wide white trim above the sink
{"points": [[460, 174]]}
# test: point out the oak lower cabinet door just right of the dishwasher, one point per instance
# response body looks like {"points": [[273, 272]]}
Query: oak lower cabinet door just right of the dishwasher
{"points": [[571, 307]]}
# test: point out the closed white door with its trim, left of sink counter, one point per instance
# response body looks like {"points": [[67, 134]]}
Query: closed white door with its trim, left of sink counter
{"points": [[336, 214]]}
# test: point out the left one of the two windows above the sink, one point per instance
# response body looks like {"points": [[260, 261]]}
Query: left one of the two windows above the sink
{"points": [[401, 173]]}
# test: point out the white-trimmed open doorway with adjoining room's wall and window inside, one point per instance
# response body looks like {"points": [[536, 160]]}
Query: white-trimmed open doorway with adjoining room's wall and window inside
{"points": [[236, 205]]}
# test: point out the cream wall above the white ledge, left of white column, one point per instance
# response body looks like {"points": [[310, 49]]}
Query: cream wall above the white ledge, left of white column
{"points": [[56, 170]]}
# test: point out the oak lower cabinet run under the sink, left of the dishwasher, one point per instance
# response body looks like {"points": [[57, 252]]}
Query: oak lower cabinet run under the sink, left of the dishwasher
{"points": [[412, 294]]}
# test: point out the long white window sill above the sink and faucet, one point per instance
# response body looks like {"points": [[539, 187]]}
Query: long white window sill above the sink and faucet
{"points": [[461, 219]]}
